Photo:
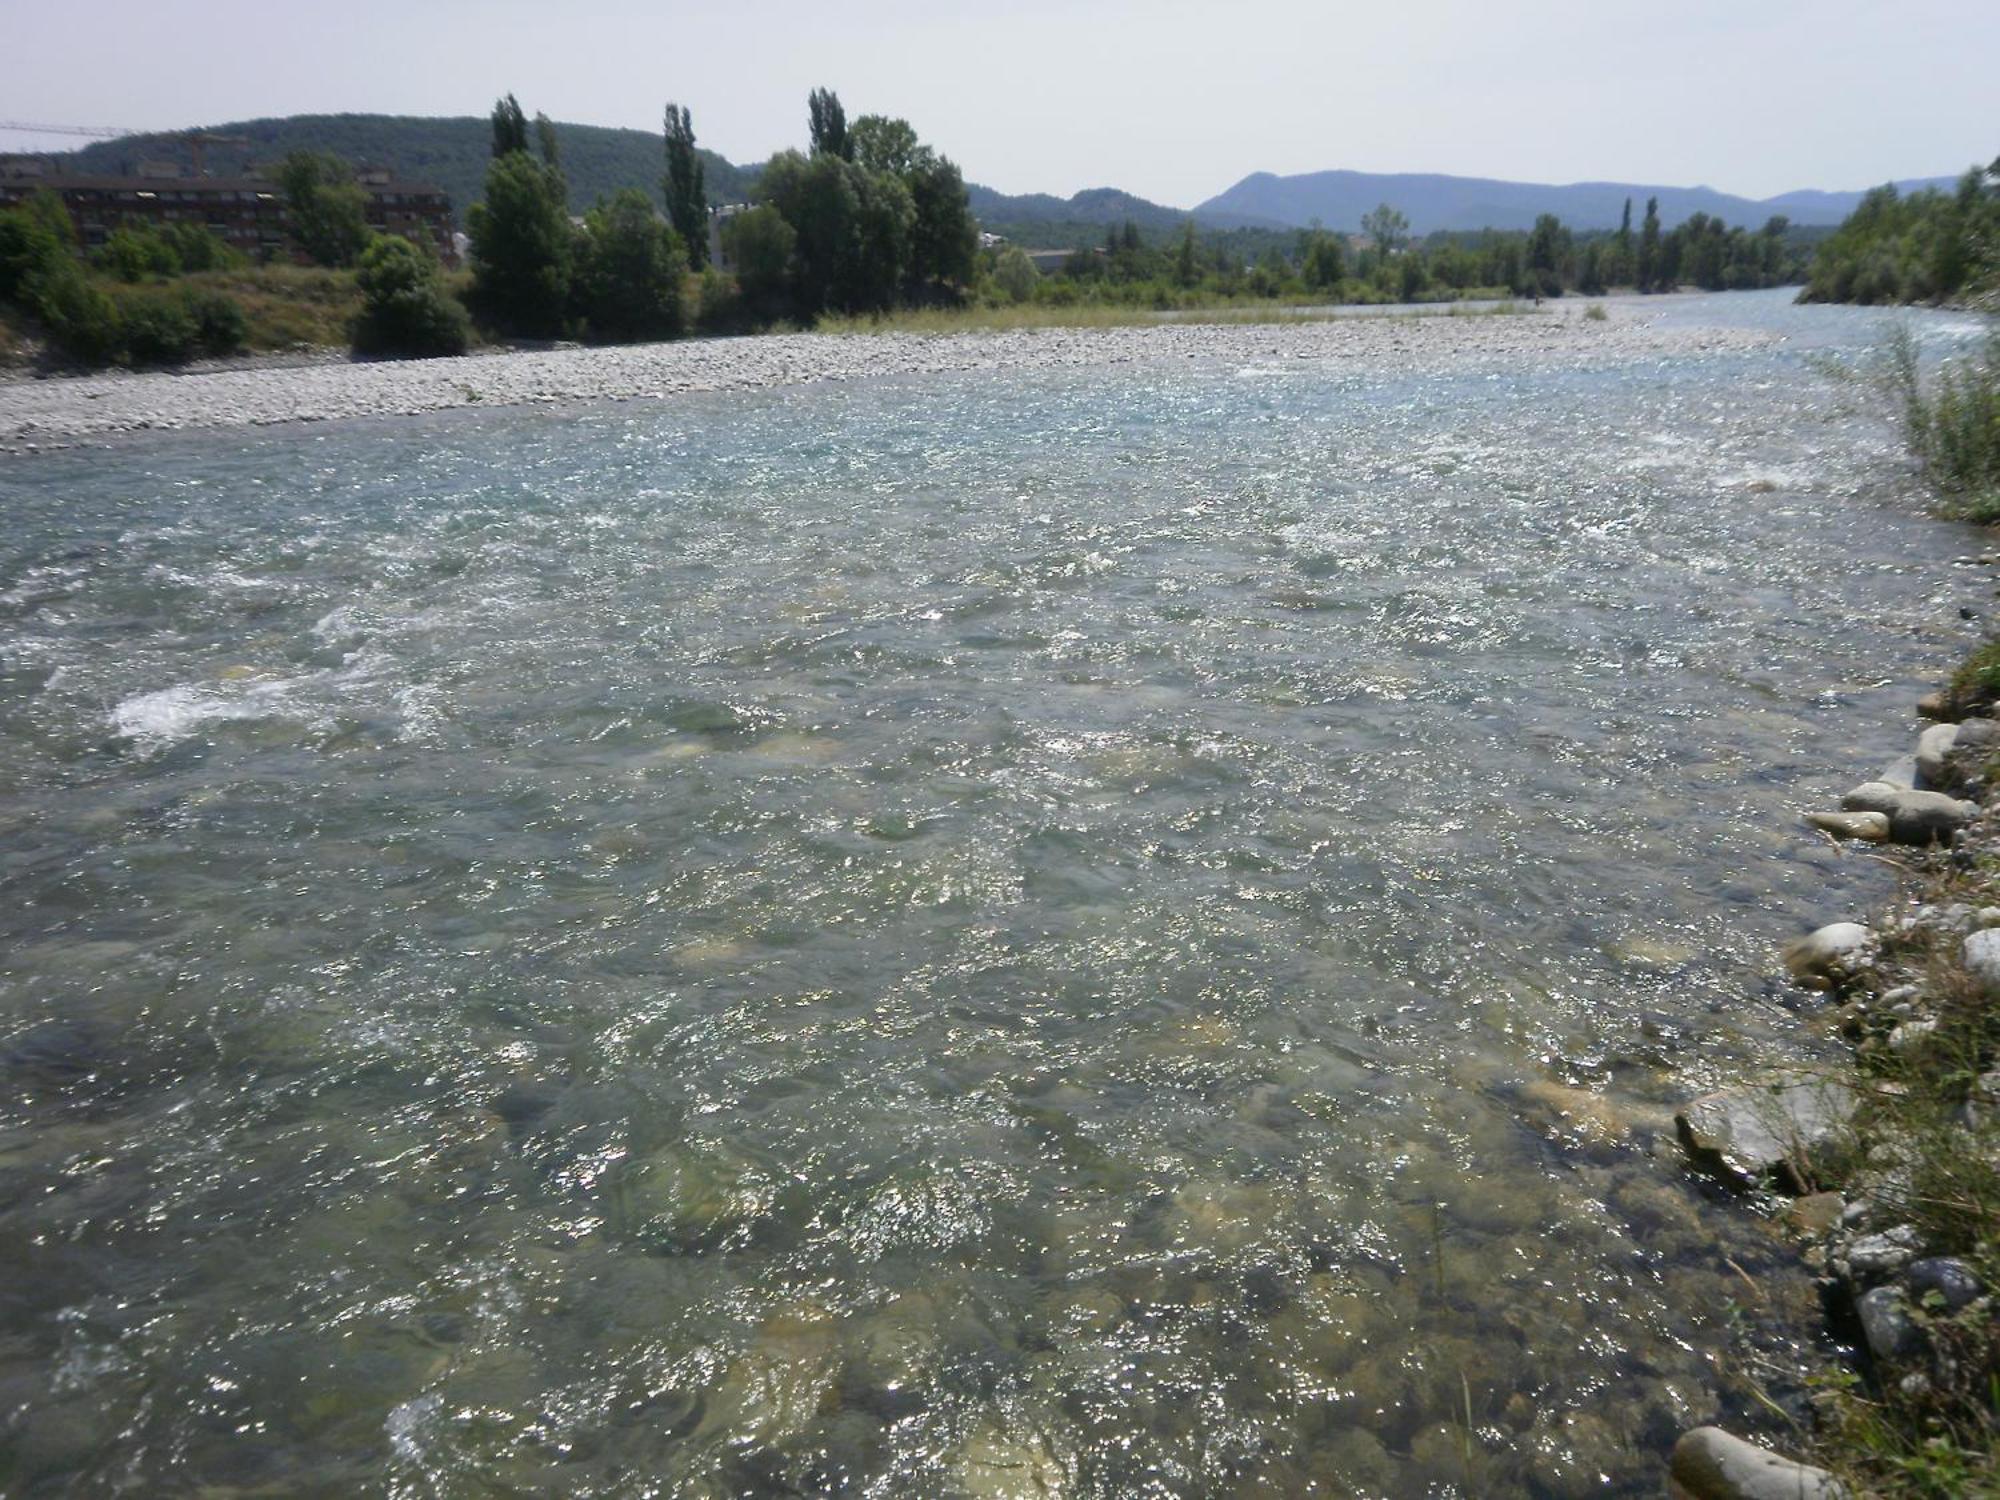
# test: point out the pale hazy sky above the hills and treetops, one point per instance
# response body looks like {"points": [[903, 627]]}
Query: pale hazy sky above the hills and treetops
{"points": [[1171, 101]]}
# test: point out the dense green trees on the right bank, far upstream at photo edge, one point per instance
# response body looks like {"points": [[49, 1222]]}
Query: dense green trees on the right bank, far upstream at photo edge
{"points": [[1923, 247]]}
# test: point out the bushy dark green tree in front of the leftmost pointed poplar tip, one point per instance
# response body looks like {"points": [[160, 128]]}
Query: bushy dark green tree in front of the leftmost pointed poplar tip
{"points": [[523, 247]]}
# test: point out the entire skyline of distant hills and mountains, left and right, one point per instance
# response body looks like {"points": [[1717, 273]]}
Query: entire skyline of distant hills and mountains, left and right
{"points": [[599, 161]]}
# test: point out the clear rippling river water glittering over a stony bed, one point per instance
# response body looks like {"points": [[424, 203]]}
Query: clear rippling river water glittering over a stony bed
{"points": [[1097, 933]]}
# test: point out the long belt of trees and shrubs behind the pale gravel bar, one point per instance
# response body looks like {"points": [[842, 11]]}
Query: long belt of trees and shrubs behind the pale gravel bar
{"points": [[865, 227]]}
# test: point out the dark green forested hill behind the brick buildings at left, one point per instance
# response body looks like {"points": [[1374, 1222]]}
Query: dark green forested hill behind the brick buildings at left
{"points": [[447, 151]]}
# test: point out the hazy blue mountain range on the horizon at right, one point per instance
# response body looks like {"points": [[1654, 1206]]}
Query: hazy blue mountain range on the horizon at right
{"points": [[1445, 203]]}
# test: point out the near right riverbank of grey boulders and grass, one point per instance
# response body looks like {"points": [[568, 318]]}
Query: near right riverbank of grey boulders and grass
{"points": [[1893, 1167]]}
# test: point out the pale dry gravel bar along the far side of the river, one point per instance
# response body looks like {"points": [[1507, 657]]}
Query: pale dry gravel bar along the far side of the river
{"points": [[61, 413]]}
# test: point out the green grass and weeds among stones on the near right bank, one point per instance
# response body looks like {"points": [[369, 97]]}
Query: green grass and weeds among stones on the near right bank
{"points": [[1923, 1421]]}
